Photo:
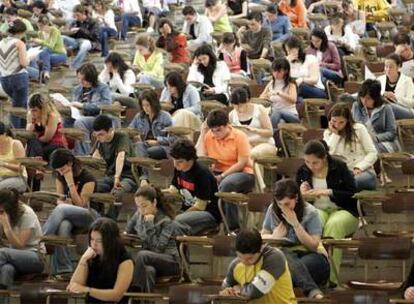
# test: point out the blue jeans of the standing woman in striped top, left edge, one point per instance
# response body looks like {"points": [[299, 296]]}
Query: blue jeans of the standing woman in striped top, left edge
{"points": [[17, 87]]}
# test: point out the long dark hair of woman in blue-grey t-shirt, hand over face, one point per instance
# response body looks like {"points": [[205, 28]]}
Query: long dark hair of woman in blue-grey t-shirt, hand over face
{"points": [[287, 188]]}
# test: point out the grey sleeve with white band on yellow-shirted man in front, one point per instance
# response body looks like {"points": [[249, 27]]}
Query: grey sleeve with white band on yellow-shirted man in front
{"points": [[273, 268]]}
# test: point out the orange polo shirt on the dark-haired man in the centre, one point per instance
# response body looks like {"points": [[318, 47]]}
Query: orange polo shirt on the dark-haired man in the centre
{"points": [[227, 150]]}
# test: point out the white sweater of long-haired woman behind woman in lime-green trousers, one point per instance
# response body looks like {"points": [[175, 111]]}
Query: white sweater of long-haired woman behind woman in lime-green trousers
{"points": [[361, 154]]}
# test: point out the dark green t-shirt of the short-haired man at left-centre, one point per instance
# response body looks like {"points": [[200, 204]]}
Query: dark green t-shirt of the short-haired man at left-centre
{"points": [[109, 152]]}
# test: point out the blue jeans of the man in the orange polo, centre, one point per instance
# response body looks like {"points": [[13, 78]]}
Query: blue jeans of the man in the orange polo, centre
{"points": [[236, 182]]}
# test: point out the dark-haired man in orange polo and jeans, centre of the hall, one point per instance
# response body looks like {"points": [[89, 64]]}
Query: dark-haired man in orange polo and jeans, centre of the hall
{"points": [[231, 148]]}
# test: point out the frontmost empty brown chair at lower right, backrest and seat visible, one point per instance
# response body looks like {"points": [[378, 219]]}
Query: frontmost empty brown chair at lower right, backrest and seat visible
{"points": [[382, 249]]}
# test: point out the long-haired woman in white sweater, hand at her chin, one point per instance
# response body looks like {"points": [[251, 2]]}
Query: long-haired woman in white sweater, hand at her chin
{"points": [[352, 141]]}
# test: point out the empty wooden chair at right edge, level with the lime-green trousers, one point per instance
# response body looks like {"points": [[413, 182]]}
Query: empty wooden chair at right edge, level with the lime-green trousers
{"points": [[397, 203]]}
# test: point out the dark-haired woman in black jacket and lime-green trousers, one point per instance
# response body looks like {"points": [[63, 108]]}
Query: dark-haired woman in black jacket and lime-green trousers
{"points": [[329, 181]]}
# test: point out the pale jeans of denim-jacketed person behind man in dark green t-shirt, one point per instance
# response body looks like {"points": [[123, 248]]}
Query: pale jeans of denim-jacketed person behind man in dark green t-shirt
{"points": [[86, 123]]}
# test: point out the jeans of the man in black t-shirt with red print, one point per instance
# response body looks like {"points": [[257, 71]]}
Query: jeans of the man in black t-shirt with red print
{"points": [[198, 221]]}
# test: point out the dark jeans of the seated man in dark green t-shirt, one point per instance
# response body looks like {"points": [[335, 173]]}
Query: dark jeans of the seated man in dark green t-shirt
{"points": [[106, 184]]}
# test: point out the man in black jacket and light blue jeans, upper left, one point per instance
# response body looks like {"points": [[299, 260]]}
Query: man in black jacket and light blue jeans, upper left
{"points": [[84, 31]]}
